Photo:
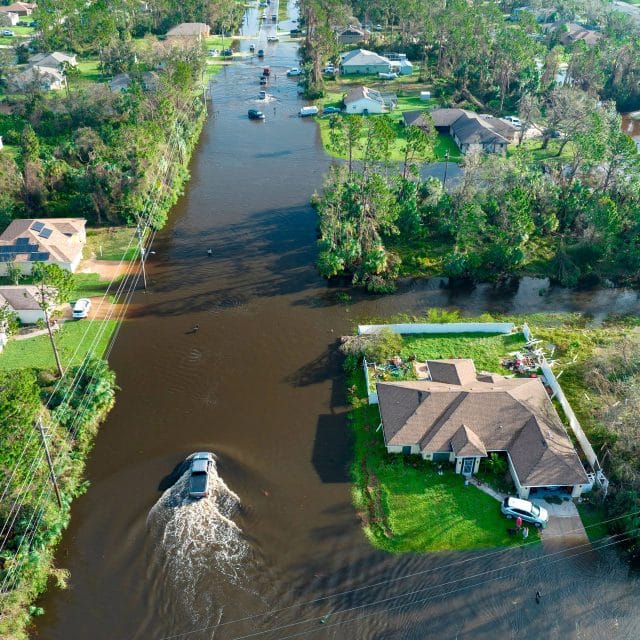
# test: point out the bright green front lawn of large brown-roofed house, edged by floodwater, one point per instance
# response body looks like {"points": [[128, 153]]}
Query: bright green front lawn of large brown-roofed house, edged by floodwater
{"points": [[405, 506]]}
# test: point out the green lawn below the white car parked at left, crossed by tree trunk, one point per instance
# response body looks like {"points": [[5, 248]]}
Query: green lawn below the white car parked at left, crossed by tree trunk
{"points": [[37, 353]]}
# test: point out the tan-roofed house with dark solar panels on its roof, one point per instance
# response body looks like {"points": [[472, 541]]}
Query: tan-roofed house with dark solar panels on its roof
{"points": [[50, 240]]}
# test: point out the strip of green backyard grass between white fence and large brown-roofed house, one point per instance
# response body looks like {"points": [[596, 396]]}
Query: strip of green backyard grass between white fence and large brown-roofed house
{"points": [[485, 350]]}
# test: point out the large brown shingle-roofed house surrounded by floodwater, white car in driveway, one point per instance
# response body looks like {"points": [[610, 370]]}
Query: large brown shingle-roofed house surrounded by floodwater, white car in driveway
{"points": [[460, 416]]}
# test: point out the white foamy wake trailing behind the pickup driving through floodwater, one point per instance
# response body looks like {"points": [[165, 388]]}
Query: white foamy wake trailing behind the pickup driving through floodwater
{"points": [[202, 550]]}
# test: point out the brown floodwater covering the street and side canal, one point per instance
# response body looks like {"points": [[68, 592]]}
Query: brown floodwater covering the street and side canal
{"points": [[260, 384]]}
